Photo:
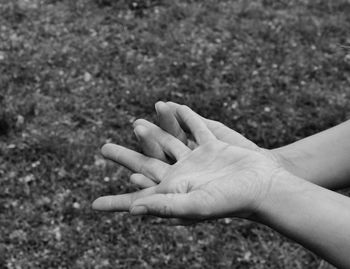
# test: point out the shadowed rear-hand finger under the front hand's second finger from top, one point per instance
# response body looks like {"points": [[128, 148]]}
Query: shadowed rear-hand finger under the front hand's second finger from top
{"points": [[150, 145]]}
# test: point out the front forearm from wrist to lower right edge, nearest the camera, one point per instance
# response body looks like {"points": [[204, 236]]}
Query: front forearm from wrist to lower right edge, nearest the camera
{"points": [[317, 218]]}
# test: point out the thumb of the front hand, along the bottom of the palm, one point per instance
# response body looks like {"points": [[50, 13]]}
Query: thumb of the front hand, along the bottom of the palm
{"points": [[170, 205]]}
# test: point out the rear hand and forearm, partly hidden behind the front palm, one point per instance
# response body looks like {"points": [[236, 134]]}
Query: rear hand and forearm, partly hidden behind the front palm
{"points": [[322, 159]]}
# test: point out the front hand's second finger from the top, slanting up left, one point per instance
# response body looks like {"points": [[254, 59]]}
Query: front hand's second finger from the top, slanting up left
{"points": [[169, 144]]}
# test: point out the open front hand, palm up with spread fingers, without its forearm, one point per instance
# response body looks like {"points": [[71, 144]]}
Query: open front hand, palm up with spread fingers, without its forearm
{"points": [[214, 180]]}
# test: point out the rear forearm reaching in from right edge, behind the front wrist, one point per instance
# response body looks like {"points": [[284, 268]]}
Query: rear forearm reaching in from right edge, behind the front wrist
{"points": [[323, 158]]}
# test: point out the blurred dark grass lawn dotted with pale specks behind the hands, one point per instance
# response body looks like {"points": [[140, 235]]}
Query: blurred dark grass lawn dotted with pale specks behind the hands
{"points": [[75, 74]]}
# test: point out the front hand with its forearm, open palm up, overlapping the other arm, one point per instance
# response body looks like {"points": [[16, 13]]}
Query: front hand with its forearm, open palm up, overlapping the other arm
{"points": [[217, 179]]}
